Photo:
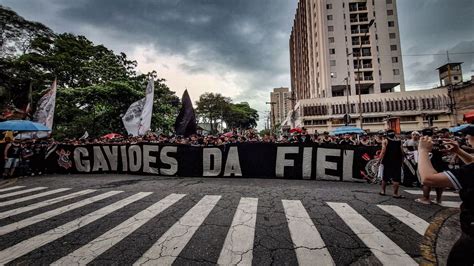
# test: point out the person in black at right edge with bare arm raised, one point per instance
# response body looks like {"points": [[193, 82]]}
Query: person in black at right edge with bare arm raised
{"points": [[462, 179]]}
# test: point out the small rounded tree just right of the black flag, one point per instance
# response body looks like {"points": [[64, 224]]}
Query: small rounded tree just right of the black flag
{"points": [[212, 107]]}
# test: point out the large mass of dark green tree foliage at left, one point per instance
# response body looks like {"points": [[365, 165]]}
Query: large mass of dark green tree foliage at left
{"points": [[95, 85]]}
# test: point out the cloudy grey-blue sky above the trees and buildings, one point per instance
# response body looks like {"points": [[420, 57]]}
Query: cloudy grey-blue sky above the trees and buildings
{"points": [[239, 48]]}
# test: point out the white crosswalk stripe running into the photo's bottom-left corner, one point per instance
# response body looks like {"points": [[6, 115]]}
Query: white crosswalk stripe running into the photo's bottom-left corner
{"points": [[9, 254]]}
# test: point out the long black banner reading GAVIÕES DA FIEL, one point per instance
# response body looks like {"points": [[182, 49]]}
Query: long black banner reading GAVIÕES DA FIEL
{"points": [[256, 160]]}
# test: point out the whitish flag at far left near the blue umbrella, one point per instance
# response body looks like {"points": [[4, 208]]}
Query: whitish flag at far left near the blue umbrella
{"points": [[45, 110]]}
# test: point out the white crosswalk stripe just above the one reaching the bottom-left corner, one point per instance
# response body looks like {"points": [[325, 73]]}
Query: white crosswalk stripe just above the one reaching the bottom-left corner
{"points": [[43, 216]]}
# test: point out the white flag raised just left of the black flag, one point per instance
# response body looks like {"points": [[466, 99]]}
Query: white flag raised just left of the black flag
{"points": [[137, 119]]}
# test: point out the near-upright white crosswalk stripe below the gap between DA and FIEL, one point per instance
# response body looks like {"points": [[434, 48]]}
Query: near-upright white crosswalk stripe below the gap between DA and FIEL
{"points": [[238, 245]]}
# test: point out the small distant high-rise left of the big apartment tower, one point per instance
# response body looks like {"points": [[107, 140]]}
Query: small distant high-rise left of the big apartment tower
{"points": [[280, 105]]}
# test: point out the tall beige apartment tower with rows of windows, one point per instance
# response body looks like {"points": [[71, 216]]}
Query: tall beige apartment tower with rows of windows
{"points": [[336, 41]]}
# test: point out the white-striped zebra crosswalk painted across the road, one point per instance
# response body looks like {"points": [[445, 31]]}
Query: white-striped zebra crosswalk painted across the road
{"points": [[22, 208]]}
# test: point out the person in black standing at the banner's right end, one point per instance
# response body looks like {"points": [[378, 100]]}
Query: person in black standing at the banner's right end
{"points": [[391, 158]]}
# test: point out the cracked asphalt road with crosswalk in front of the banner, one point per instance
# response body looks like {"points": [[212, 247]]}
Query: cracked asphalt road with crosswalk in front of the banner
{"points": [[124, 220]]}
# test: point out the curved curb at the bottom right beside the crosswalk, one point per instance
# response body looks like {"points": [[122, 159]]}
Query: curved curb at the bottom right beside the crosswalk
{"points": [[428, 244]]}
